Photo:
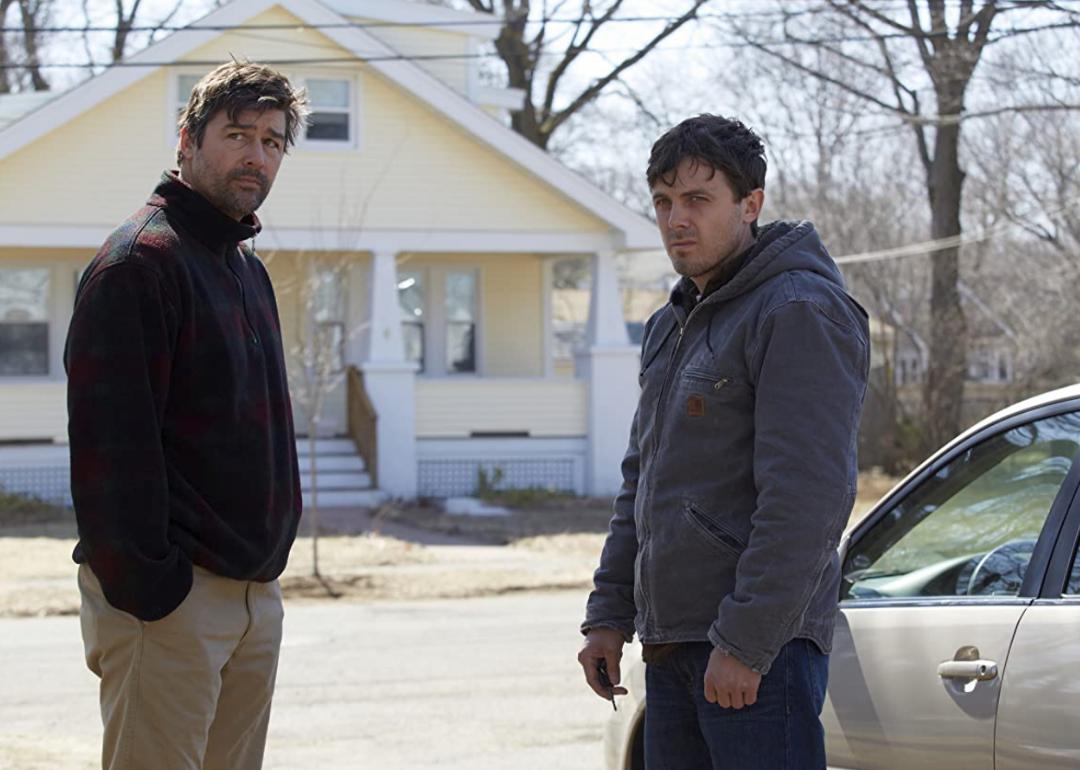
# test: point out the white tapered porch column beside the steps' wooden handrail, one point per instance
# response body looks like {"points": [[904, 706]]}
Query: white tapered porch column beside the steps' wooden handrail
{"points": [[389, 379]]}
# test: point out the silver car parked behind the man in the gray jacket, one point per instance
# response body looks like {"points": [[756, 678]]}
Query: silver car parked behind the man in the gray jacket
{"points": [[958, 641]]}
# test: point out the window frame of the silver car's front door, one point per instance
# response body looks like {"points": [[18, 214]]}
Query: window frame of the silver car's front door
{"points": [[1041, 569]]}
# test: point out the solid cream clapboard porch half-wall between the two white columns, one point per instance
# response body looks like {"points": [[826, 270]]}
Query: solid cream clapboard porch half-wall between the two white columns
{"points": [[463, 409]]}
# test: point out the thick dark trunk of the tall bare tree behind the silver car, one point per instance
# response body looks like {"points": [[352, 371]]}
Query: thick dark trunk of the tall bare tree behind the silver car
{"points": [[949, 331]]}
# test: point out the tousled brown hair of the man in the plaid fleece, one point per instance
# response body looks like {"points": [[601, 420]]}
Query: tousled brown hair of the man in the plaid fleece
{"points": [[236, 87]]}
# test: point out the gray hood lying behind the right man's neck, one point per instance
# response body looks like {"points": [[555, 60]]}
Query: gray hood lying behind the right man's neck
{"points": [[781, 247]]}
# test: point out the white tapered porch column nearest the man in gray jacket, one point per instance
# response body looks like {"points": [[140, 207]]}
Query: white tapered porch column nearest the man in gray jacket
{"points": [[610, 364]]}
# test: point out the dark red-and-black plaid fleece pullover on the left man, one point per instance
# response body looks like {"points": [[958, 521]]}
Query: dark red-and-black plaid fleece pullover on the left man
{"points": [[182, 441]]}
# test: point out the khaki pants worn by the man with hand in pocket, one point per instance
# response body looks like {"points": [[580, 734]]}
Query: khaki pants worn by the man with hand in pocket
{"points": [[191, 692]]}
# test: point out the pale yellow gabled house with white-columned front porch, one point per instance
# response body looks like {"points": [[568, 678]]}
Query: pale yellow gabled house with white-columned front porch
{"points": [[443, 222]]}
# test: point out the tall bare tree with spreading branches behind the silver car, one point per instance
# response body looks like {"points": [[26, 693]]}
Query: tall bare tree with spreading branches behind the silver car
{"points": [[869, 50]]}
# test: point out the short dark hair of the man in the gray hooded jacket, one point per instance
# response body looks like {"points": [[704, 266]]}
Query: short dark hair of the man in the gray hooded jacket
{"points": [[723, 144]]}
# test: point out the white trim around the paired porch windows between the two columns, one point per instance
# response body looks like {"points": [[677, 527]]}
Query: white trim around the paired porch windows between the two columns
{"points": [[435, 325]]}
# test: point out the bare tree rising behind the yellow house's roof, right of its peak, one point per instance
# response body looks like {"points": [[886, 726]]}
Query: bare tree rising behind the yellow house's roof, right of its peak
{"points": [[529, 38]]}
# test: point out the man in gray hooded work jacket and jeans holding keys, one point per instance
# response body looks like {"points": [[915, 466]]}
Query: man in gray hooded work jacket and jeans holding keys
{"points": [[740, 475]]}
